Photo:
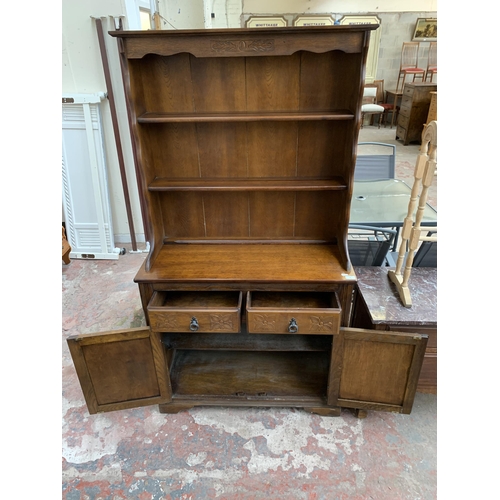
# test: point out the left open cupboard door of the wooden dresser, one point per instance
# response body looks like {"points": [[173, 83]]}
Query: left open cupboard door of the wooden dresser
{"points": [[121, 369]]}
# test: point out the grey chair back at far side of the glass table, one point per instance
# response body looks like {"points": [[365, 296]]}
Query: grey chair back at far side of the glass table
{"points": [[379, 163]]}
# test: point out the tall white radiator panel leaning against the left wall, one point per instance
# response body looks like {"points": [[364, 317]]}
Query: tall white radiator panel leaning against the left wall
{"points": [[85, 194]]}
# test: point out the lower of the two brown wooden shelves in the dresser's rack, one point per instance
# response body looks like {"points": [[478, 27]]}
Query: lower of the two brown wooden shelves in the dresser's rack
{"points": [[224, 184]]}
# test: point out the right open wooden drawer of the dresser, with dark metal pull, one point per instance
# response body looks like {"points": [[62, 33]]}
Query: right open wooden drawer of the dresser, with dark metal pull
{"points": [[293, 312]]}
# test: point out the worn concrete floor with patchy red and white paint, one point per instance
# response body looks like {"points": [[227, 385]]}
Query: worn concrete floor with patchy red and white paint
{"points": [[227, 453]]}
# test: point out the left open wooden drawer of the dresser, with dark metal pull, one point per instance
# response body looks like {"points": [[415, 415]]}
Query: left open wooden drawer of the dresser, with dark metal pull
{"points": [[200, 312]]}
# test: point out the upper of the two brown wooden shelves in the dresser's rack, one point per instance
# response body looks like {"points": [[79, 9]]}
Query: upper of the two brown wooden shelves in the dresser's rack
{"points": [[342, 114]]}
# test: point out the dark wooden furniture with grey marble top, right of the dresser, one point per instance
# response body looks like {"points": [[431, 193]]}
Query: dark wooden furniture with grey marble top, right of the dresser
{"points": [[377, 306]]}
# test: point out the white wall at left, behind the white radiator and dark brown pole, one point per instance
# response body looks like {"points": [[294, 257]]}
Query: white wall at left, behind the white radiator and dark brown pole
{"points": [[82, 72]]}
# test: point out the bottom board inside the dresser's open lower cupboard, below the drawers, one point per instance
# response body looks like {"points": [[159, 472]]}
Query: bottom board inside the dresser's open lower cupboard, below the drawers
{"points": [[245, 375]]}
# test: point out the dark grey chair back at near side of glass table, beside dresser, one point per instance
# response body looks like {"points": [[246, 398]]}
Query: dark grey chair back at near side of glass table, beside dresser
{"points": [[368, 245]]}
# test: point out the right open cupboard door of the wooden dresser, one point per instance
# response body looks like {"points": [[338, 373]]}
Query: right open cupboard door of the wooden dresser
{"points": [[379, 370]]}
